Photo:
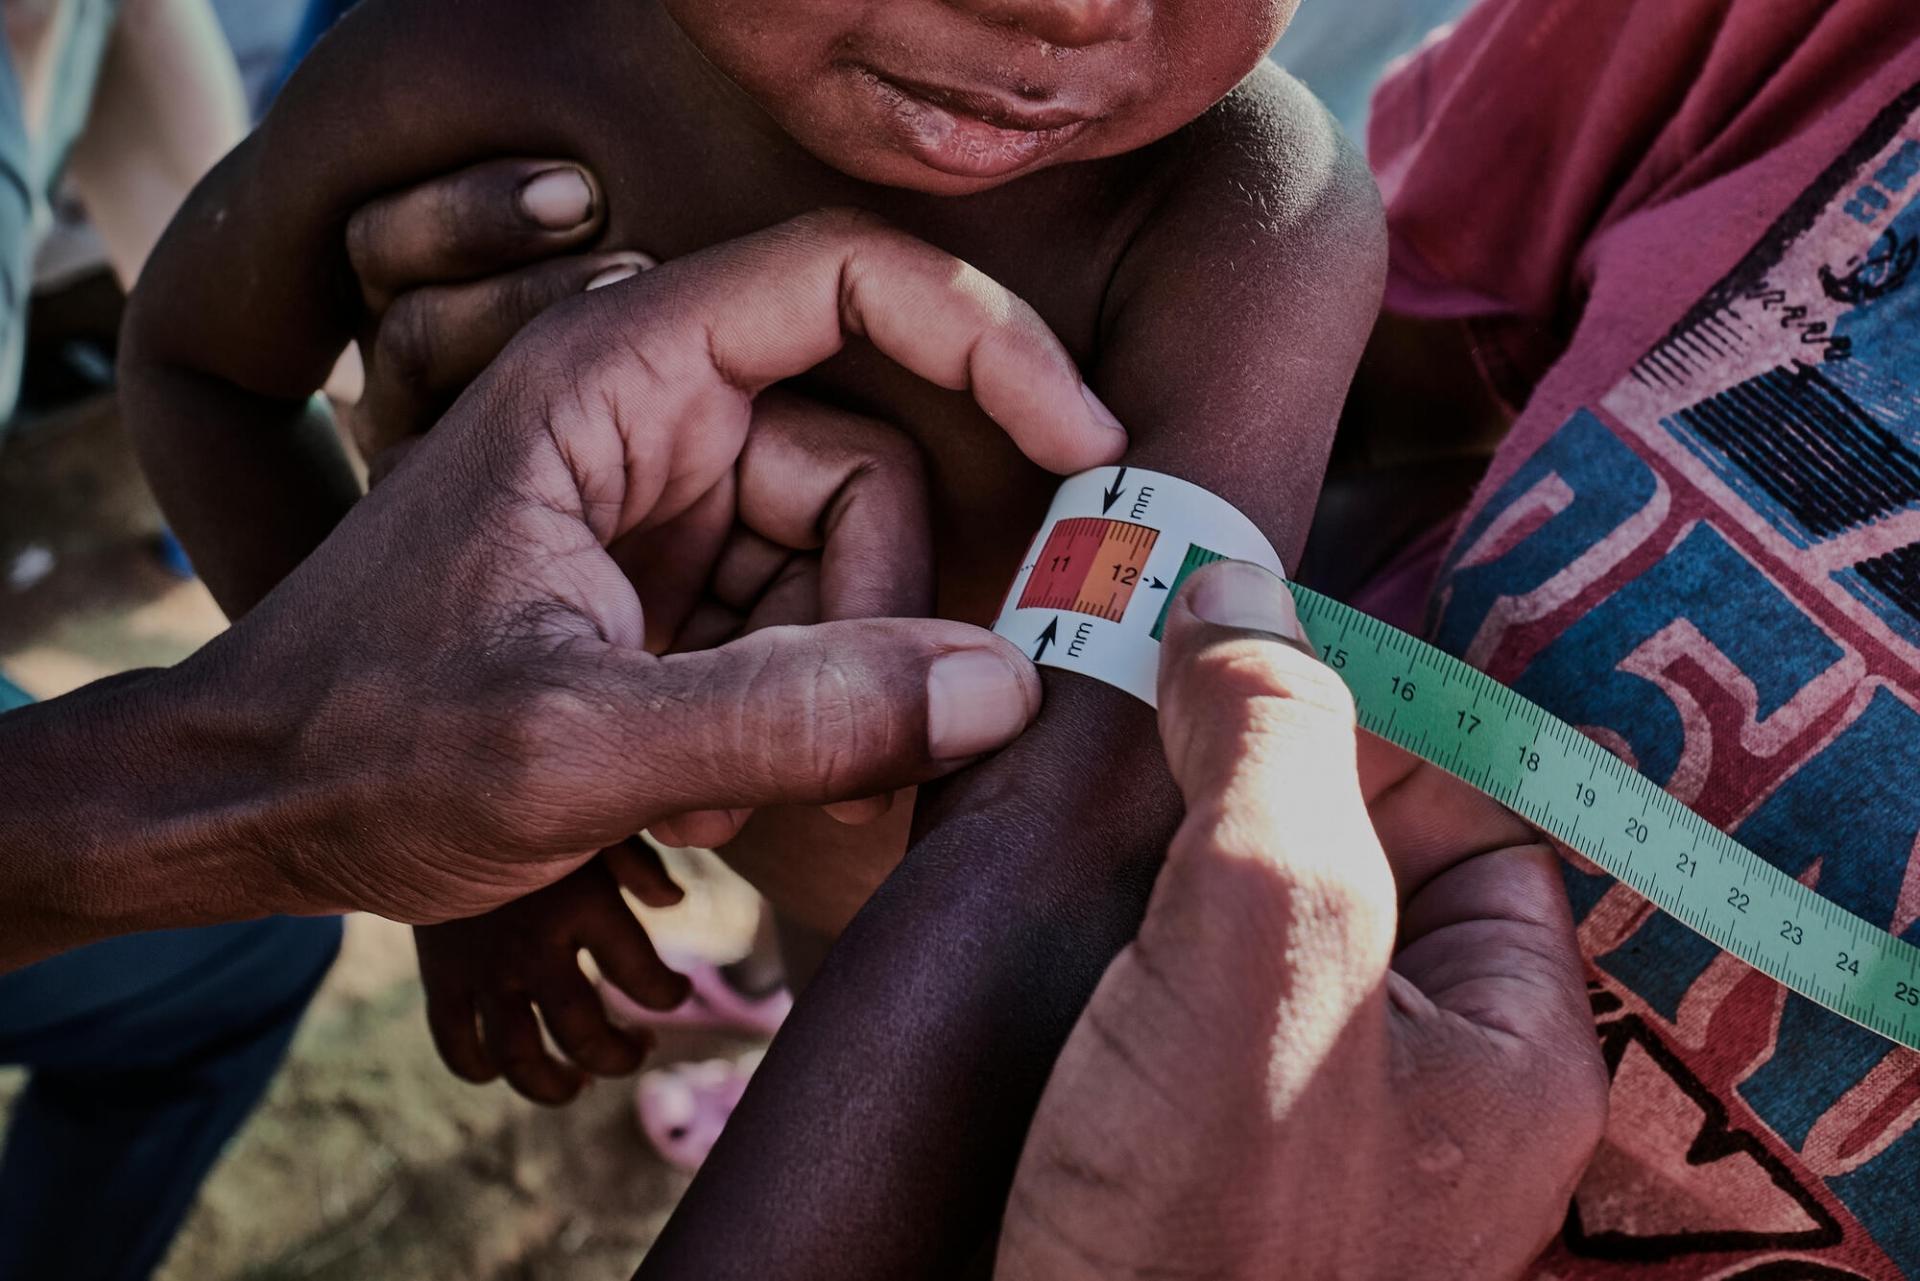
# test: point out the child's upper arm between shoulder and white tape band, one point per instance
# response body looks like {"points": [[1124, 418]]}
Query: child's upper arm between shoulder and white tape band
{"points": [[1241, 306]]}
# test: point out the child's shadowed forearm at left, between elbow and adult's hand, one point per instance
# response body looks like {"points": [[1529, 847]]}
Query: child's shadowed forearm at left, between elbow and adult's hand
{"points": [[252, 485]]}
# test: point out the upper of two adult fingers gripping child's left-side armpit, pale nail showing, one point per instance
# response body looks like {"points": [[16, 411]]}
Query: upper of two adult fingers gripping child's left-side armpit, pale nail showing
{"points": [[471, 224]]}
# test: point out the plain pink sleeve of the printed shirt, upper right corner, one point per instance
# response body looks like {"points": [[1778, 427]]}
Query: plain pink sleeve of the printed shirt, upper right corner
{"points": [[1545, 137]]}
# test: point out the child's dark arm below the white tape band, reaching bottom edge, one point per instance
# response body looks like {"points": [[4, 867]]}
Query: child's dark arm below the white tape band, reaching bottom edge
{"points": [[884, 1128]]}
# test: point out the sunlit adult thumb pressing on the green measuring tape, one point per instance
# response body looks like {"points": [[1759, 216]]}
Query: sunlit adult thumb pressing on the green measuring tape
{"points": [[1260, 738]]}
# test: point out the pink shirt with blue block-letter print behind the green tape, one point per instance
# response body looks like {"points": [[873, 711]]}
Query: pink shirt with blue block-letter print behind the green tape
{"points": [[1687, 235]]}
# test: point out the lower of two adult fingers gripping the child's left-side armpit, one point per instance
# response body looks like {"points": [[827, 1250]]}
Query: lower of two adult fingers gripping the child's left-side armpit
{"points": [[433, 341]]}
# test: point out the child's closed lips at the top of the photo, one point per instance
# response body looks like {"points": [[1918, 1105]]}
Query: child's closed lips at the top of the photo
{"points": [[971, 135]]}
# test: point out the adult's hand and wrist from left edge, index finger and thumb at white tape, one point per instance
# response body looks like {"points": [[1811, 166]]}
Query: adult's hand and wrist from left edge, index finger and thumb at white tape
{"points": [[450, 706]]}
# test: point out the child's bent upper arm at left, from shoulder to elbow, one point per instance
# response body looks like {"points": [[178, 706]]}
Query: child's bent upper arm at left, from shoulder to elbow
{"points": [[252, 283]]}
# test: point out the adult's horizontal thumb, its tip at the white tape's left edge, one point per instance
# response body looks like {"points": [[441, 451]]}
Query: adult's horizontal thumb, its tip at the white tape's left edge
{"points": [[802, 715]]}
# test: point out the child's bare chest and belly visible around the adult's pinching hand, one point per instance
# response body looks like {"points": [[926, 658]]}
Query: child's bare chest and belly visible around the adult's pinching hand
{"points": [[684, 164]]}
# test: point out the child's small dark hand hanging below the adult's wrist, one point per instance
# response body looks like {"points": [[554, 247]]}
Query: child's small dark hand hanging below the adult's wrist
{"points": [[489, 975]]}
